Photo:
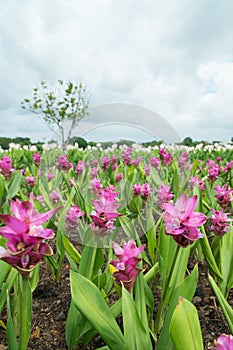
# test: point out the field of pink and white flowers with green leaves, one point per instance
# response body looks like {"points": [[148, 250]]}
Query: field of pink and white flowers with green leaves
{"points": [[131, 225]]}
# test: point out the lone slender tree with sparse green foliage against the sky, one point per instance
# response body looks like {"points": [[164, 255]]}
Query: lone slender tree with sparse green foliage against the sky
{"points": [[61, 103]]}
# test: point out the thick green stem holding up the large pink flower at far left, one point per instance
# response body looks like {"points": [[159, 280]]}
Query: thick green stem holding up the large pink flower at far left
{"points": [[24, 322]]}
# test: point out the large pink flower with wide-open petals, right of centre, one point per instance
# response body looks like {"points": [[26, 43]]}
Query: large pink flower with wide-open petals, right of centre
{"points": [[181, 220]]}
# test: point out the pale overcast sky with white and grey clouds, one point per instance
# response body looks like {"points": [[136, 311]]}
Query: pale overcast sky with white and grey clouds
{"points": [[171, 57]]}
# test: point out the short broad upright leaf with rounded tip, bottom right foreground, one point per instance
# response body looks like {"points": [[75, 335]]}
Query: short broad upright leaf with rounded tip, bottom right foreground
{"points": [[185, 327]]}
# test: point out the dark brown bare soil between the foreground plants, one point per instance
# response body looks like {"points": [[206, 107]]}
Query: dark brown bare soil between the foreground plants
{"points": [[51, 303]]}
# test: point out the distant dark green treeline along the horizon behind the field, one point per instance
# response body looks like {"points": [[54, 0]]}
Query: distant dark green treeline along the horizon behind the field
{"points": [[5, 142]]}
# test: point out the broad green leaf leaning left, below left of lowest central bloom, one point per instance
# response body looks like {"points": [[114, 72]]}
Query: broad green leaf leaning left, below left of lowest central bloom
{"points": [[89, 300]]}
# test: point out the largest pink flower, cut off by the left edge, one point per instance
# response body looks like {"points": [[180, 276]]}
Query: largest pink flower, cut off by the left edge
{"points": [[25, 235]]}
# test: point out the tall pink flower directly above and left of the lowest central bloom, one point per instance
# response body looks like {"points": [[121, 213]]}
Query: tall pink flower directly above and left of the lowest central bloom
{"points": [[105, 212]]}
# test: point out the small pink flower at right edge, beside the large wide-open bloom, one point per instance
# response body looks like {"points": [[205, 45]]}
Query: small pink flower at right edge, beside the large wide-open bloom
{"points": [[219, 222]]}
